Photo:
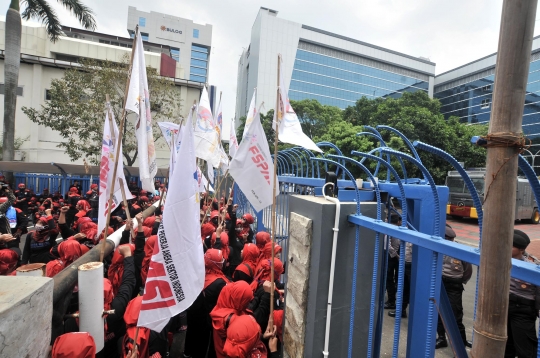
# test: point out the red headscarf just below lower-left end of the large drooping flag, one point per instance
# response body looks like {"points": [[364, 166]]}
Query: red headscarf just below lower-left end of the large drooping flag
{"points": [[131, 317]]}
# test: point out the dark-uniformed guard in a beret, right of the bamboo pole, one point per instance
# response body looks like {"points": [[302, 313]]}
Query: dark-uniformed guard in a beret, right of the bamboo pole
{"points": [[522, 308]]}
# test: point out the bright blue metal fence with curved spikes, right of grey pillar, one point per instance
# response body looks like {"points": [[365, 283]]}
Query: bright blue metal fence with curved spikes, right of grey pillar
{"points": [[422, 206]]}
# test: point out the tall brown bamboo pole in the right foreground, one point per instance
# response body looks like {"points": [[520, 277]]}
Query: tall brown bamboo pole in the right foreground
{"points": [[512, 70]]}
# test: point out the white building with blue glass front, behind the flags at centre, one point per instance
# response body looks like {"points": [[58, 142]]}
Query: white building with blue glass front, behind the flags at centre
{"points": [[333, 69]]}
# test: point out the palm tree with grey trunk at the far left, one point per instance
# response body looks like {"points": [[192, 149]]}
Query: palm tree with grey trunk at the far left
{"points": [[33, 9]]}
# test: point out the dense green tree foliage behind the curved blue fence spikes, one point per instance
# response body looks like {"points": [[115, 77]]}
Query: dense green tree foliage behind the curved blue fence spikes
{"points": [[415, 115]]}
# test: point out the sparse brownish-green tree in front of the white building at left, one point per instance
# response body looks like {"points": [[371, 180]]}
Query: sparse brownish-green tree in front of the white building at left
{"points": [[77, 107]]}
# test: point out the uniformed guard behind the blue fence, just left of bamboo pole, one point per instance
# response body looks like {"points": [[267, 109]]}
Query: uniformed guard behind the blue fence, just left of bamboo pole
{"points": [[456, 273]]}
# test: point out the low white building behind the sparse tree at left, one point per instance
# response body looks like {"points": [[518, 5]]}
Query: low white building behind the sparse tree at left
{"points": [[43, 61]]}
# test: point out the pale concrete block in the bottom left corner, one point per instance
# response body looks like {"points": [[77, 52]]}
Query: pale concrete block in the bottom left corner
{"points": [[25, 316]]}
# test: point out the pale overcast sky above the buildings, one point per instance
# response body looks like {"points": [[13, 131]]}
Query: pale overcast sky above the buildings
{"points": [[448, 32]]}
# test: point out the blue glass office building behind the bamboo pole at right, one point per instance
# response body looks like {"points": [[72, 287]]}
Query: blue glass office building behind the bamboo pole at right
{"points": [[466, 92]]}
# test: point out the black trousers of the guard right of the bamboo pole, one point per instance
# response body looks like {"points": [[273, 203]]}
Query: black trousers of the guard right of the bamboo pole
{"points": [[522, 341]]}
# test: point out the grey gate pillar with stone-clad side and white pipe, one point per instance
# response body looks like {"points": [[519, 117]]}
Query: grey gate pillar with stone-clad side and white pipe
{"points": [[308, 265]]}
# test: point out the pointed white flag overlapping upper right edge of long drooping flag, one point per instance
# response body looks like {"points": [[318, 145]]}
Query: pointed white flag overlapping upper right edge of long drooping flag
{"points": [[207, 142]]}
